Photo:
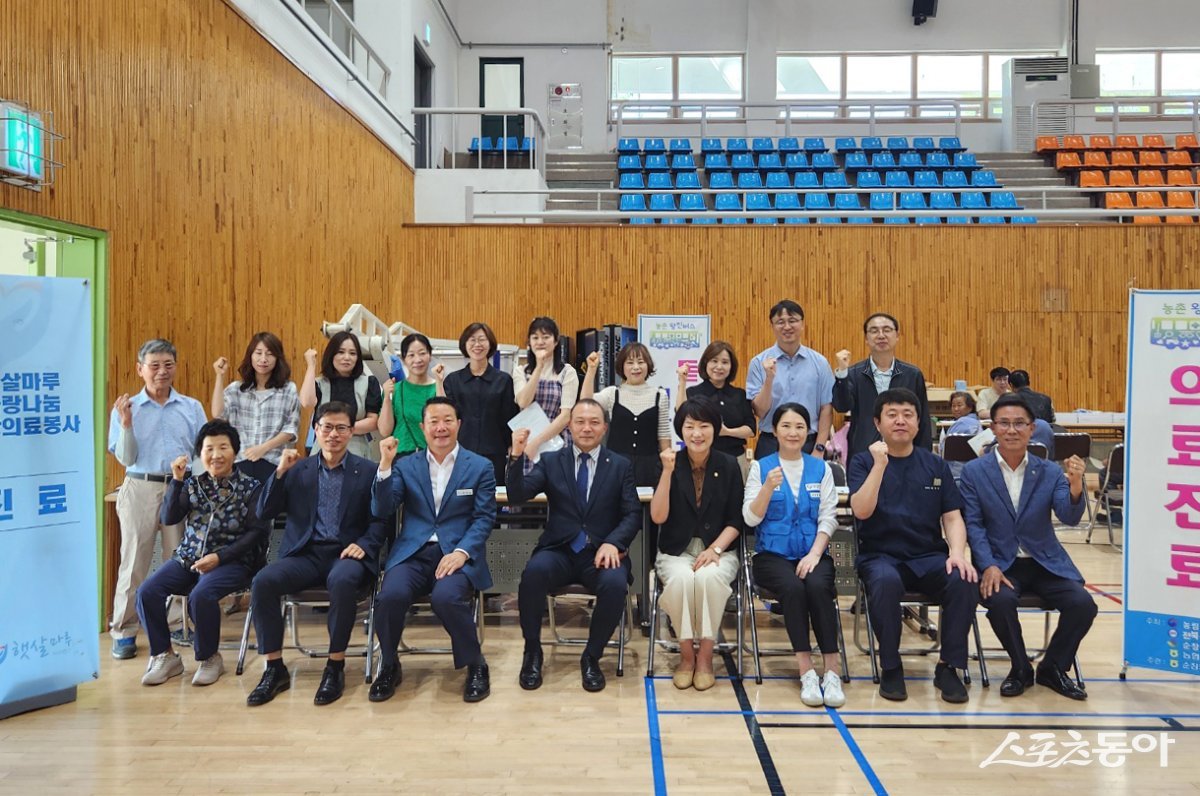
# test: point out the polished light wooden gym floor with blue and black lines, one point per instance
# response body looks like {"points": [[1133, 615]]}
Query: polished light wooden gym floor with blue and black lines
{"points": [[637, 737]]}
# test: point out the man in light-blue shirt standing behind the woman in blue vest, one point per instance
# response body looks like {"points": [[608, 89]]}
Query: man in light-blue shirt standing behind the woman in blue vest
{"points": [[790, 372]]}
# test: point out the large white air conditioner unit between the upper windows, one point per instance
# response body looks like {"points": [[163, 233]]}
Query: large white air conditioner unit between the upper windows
{"points": [[1028, 80]]}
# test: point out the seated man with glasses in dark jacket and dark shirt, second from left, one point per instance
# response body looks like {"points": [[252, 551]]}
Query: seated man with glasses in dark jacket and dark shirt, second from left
{"points": [[332, 540]]}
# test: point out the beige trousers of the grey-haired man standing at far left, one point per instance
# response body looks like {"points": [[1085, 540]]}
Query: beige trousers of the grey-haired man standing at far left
{"points": [[137, 510]]}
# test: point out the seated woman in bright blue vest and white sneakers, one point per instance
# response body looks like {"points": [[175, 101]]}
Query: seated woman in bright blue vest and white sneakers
{"points": [[791, 502]]}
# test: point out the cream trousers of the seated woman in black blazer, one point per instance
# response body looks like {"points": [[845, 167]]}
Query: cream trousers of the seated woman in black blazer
{"points": [[695, 601]]}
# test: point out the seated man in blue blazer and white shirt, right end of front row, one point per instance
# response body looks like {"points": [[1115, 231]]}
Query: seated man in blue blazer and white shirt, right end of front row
{"points": [[1009, 498]]}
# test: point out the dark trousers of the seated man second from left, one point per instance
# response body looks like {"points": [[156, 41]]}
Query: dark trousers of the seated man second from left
{"points": [[316, 566]]}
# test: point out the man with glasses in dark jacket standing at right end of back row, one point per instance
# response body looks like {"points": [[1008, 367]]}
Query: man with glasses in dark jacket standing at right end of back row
{"points": [[857, 386]]}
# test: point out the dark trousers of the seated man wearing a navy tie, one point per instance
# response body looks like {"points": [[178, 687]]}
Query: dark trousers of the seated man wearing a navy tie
{"points": [[559, 567]]}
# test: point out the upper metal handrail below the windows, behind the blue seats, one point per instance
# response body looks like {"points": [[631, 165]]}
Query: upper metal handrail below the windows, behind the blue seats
{"points": [[788, 107]]}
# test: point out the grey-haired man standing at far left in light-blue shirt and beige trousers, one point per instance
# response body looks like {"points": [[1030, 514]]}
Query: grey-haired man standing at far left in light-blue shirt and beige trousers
{"points": [[147, 433]]}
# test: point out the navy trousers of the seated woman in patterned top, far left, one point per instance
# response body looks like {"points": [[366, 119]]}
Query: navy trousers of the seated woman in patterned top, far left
{"points": [[203, 592]]}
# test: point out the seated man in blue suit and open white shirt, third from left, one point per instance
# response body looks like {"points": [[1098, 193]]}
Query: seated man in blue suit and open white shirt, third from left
{"points": [[449, 500]]}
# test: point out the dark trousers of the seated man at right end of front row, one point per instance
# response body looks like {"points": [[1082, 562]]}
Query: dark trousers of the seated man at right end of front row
{"points": [[1076, 607]]}
